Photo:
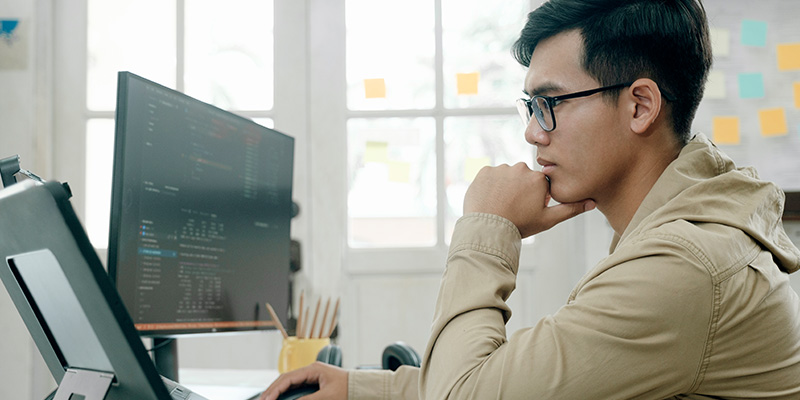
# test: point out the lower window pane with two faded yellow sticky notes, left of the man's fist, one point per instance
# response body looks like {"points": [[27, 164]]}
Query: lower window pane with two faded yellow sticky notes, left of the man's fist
{"points": [[392, 182]]}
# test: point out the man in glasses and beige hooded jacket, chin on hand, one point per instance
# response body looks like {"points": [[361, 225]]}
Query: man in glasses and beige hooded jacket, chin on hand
{"points": [[694, 300]]}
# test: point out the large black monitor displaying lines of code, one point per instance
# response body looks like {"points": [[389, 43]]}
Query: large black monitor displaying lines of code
{"points": [[200, 214]]}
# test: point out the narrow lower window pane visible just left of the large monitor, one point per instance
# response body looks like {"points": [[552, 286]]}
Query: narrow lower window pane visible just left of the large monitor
{"points": [[99, 169]]}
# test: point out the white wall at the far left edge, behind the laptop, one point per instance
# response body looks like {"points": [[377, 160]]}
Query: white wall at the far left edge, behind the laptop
{"points": [[24, 130]]}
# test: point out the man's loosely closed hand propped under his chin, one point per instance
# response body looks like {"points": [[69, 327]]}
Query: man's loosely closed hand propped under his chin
{"points": [[520, 195]]}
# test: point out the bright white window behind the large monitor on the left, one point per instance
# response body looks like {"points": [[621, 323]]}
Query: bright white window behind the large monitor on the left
{"points": [[219, 54]]}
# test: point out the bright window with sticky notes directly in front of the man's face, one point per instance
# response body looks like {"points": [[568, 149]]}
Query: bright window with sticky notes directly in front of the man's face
{"points": [[429, 104]]}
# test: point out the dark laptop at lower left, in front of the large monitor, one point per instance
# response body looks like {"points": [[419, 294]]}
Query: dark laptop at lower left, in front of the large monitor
{"points": [[68, 303]]}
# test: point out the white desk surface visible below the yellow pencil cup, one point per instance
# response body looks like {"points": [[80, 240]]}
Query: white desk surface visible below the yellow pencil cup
{"points": [[227, 384]]}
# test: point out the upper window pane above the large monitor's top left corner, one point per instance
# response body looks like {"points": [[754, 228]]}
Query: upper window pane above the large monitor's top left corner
{"points": [[128, 35]]}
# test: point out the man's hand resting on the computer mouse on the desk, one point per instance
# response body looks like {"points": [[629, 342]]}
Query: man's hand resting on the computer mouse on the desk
{"points": [[332, 382]]}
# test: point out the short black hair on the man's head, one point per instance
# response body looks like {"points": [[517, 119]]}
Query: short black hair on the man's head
{"points": [[624, 40]]}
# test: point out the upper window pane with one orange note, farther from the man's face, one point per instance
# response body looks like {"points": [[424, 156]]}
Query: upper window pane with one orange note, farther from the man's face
{"points": [[390, 54]]}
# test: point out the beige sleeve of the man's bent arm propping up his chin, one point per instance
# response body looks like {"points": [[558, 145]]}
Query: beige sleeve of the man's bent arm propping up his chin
{"points": [[634, 331]]}
